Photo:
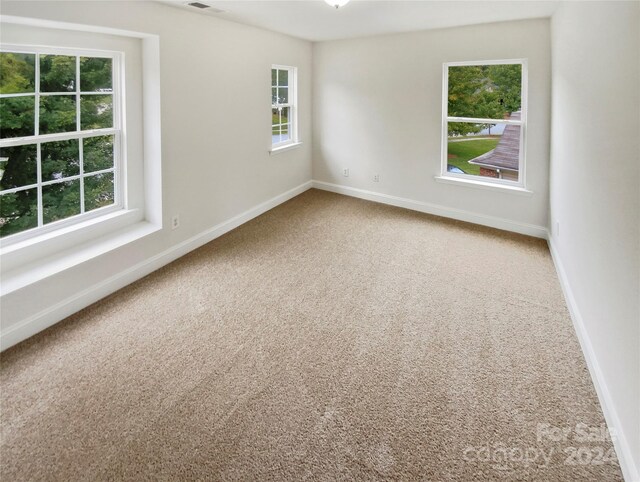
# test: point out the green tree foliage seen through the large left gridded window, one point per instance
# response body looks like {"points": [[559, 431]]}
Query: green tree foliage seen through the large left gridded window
{"points": [[60, 159]]}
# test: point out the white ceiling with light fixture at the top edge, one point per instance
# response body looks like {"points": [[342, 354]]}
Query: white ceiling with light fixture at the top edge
{"points": [[316, 21]]}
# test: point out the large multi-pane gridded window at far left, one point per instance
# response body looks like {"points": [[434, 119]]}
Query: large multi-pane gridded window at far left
{"points": [[60, 138]]}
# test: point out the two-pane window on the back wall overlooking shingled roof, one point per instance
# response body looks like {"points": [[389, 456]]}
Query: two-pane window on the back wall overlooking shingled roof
{"points": [[484, 121]]}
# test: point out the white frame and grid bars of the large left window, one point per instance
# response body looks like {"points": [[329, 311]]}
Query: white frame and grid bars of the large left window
{"points": [[117, 131]]}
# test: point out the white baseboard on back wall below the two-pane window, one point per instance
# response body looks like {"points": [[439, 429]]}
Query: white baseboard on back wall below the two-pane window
{"points": [[438, 210]]}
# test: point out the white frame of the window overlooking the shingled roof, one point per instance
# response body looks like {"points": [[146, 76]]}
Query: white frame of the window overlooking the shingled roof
{"points": [[470, 179]]}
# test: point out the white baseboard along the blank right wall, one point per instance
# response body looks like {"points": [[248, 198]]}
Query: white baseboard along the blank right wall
{"points": [[625, 456]]}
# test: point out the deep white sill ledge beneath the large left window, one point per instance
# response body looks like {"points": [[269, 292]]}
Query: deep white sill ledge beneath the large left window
{"points": [[38, 268]]}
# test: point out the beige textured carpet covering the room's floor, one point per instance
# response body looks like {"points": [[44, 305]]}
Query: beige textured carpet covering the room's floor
{"points": [[329, 339]]}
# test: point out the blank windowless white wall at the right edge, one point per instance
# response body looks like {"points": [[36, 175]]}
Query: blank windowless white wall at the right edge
{"points": [[595, 195]]}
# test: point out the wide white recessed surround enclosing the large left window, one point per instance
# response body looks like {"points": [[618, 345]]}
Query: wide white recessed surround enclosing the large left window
{"points": [[36, 259]]}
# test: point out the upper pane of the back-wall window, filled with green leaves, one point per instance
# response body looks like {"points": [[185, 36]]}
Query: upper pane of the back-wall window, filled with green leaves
{"points": [[484, 91]]}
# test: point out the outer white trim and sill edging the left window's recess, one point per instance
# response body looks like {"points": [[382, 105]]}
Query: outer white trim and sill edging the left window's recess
{"points": [[38, 258]]}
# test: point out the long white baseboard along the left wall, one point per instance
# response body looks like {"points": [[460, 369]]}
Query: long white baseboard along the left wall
{"points": [[52, 315]]}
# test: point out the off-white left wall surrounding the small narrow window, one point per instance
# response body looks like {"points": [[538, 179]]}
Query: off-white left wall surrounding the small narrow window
{"points": [[215, 82]]}
